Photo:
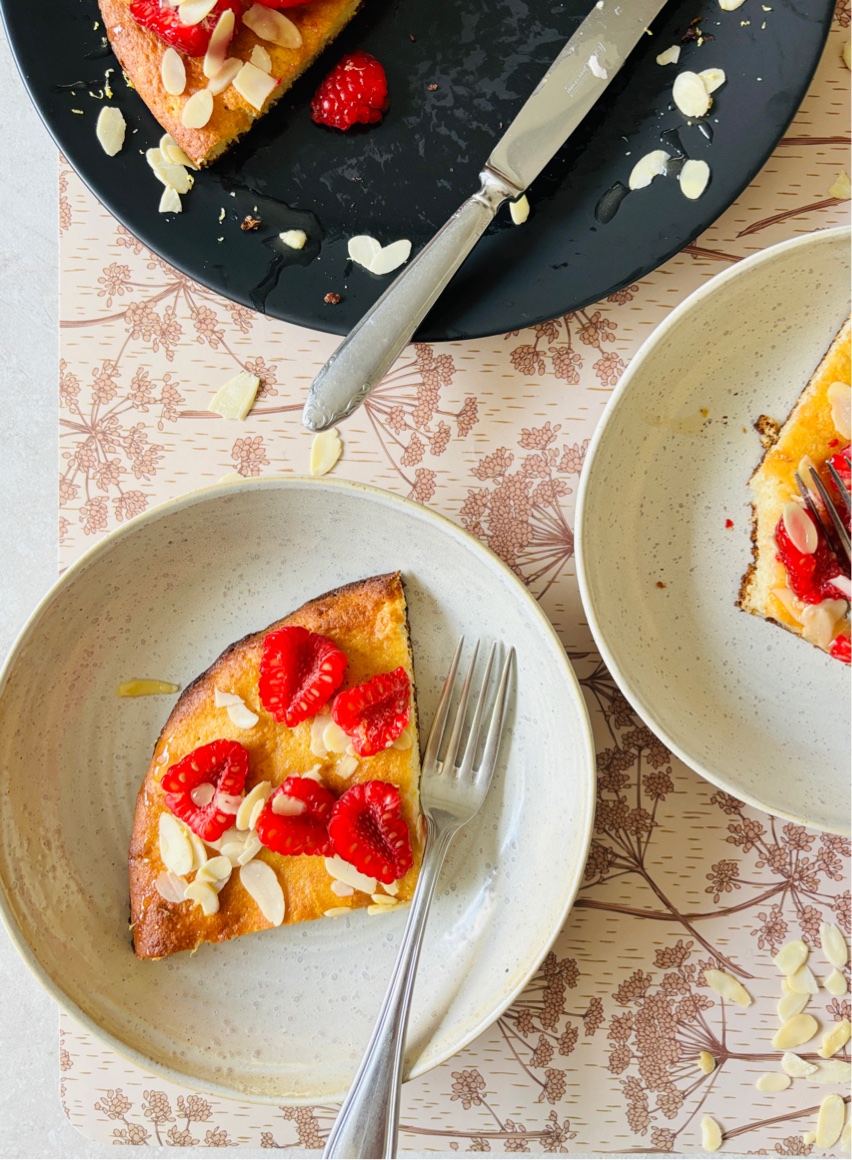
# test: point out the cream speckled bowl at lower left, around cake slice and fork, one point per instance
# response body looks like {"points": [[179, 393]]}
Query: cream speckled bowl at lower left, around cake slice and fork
{"points": [[285, 1016]]}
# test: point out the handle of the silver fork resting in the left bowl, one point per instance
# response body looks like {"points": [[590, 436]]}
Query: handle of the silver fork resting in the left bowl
{"points": [[370, 1118]]}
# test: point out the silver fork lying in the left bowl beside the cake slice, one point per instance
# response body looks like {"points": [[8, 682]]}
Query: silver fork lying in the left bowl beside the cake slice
{"points": [[451, 794]]}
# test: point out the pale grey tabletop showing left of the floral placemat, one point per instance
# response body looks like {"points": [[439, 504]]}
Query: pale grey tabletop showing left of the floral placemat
{"points": [[32, 1122]]}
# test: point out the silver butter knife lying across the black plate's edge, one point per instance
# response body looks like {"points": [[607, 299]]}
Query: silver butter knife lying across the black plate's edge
{"points": [[567, 92]]}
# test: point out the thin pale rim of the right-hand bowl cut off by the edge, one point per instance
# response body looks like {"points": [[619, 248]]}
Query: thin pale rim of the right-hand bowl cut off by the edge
{"points": [[828, 237]]}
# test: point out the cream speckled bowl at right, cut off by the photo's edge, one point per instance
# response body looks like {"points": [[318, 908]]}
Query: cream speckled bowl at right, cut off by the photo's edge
{"points": [[754, 709]]}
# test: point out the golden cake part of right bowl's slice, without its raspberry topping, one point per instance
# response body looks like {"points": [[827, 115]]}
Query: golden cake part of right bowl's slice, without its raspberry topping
{"points": [[808, 431]]}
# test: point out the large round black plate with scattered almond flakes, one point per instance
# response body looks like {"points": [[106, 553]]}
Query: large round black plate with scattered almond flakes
{"points": [[405, 178]]}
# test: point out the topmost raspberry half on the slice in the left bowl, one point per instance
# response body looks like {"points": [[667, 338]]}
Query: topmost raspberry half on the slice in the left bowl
{"points": [[300, 672]]}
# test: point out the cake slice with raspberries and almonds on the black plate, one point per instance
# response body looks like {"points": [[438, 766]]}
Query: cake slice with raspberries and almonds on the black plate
{"points": [[277, 46]]}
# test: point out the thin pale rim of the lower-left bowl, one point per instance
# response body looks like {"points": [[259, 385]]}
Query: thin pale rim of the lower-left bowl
{"points": [[586, 758]]}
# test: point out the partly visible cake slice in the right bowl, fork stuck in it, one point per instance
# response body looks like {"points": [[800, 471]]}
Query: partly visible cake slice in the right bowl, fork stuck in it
{"points": [[797, 579]]}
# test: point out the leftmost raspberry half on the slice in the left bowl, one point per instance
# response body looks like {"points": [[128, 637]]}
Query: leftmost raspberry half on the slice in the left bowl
{"points": [[204, 789]]}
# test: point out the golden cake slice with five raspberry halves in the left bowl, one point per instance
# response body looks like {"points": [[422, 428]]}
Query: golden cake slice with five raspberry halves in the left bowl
{"points": [[285, 786]]}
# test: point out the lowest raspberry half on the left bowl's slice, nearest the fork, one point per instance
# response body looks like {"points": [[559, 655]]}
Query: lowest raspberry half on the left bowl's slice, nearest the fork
{"points": [[369, 831]]}
